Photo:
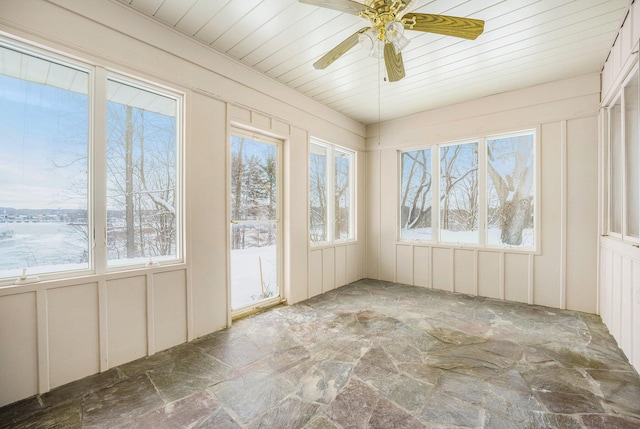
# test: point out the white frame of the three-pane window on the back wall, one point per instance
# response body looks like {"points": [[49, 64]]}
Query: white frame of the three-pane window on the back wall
{"points": [[482, 179]]}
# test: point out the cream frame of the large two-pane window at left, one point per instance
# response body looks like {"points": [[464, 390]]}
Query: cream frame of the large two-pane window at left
{"points": [[98, 77]]}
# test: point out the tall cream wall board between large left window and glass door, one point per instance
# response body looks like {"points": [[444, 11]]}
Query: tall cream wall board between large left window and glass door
{"points": [[207, 229]]}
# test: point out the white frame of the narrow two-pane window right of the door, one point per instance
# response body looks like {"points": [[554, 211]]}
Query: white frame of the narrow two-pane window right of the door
{"points": [[331, 150]]}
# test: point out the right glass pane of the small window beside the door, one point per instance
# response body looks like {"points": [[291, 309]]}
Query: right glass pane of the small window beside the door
{"points": [[342, 195]]}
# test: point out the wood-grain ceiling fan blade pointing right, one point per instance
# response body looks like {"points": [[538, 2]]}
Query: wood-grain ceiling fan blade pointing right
{"points": [[467, 28]]}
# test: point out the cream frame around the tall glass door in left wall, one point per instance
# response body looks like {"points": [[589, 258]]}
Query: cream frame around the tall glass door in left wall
{"points": [[261, 137]]}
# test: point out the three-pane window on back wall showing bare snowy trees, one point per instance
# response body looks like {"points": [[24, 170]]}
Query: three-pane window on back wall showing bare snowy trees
{"points": [[486, 192]]}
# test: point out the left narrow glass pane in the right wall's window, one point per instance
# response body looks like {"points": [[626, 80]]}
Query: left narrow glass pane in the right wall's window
{"points": [[615, 169]]}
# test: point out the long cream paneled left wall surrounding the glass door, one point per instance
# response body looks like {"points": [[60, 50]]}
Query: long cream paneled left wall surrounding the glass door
{"points": [[58, 331]]}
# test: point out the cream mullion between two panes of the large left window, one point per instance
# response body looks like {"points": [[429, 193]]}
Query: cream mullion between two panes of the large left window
{"points": [[98, 172]]}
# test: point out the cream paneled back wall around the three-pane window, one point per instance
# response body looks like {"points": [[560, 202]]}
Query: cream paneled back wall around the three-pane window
{"points": [[562, 272]]}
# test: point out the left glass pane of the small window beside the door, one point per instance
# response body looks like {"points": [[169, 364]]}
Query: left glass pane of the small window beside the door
{"points": [[318, 193]]}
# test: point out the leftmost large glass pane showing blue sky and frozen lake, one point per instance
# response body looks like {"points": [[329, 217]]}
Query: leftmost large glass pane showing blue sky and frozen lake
{"points": [[44, 134]]}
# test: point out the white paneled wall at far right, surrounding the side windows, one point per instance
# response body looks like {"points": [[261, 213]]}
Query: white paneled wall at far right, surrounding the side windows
{"points": [[619, 262]]}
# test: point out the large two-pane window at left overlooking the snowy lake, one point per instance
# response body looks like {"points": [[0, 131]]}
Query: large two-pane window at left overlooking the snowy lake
{"points": [[53, 208]]}
